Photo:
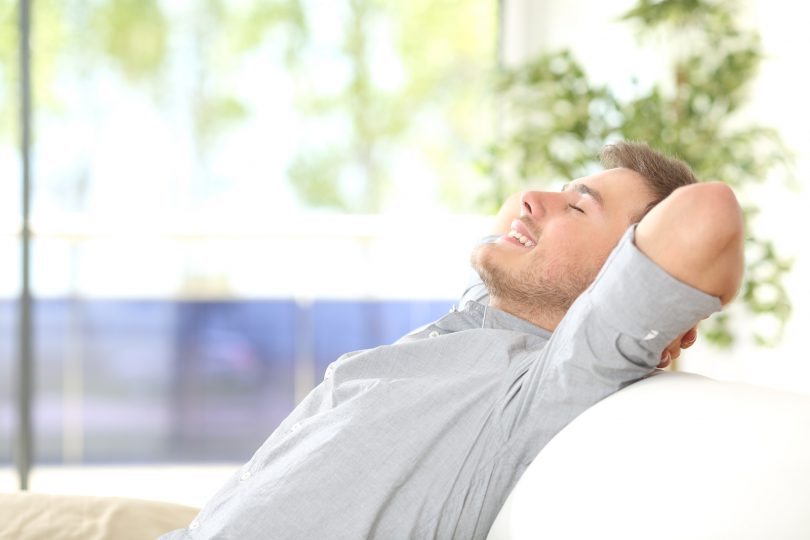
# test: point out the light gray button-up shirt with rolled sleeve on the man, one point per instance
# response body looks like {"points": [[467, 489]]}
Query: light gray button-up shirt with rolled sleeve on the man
{"points": [[425, 438]]}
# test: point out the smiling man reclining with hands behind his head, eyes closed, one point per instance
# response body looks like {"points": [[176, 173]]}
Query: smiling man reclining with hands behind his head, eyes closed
{"points": [[425, 438]]}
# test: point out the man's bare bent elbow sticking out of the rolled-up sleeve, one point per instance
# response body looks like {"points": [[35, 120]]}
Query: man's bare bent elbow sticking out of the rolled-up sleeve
{"points": [[696, 235]]}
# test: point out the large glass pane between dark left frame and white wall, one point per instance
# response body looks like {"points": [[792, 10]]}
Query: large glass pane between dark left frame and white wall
{"points": [[196, 264]]}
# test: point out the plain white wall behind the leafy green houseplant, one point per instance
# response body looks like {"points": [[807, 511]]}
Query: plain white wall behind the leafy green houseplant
{"points": [[610, 52]]}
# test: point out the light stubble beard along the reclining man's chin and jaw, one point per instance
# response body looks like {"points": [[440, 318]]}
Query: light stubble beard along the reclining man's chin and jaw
{"points": [[540, 294]]}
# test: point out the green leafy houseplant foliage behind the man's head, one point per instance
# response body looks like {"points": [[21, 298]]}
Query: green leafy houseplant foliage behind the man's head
{"points": [[556, 120]]}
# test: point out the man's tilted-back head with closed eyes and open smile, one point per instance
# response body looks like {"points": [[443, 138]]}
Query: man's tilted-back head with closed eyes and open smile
{"points": [[561, 239]]}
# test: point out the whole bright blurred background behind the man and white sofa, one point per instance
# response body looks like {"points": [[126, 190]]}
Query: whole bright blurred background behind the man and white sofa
{"points": [[227, 196]]}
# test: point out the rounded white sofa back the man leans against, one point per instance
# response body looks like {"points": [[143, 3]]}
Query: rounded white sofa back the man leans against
{"points": [[676, 456]]}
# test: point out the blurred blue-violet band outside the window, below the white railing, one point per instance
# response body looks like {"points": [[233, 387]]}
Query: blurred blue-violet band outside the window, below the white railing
{"points": [[161, 381]]}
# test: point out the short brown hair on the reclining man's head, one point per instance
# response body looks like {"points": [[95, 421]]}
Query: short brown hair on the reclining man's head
{"points": [[664, 174]]}
